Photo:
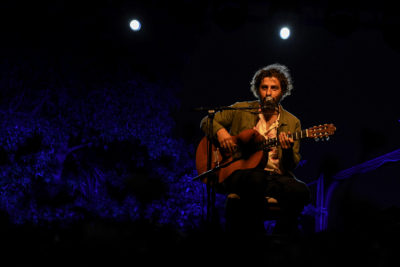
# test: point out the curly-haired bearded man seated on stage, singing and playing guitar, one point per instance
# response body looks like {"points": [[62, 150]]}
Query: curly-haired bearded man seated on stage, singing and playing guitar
{"points": [[249, 189]]}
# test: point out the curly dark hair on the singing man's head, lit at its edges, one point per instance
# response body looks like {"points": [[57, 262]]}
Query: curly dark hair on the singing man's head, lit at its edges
{"points": [[276, 70]]}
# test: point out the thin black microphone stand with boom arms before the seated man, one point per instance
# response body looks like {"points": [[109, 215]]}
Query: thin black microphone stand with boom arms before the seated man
{"points": [[212, 178]]}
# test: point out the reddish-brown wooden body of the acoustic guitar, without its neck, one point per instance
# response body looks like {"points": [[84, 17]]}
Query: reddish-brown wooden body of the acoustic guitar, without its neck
{"points": [[249, 156]]}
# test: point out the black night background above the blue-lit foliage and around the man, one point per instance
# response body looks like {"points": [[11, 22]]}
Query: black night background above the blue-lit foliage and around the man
{"points": [[343, 57]]}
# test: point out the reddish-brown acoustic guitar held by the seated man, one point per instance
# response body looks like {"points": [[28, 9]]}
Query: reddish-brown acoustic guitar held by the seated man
{"points": [[249, 153]]}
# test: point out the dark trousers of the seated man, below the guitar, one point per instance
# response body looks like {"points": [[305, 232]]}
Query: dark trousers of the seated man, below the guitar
{"points": [[252, 186]]}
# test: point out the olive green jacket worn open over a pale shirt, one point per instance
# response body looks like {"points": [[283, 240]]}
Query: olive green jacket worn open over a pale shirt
{"points": [[235, 121]]}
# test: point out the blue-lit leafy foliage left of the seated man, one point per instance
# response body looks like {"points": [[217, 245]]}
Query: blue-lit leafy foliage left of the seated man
{"points": [[71, 151]]}
